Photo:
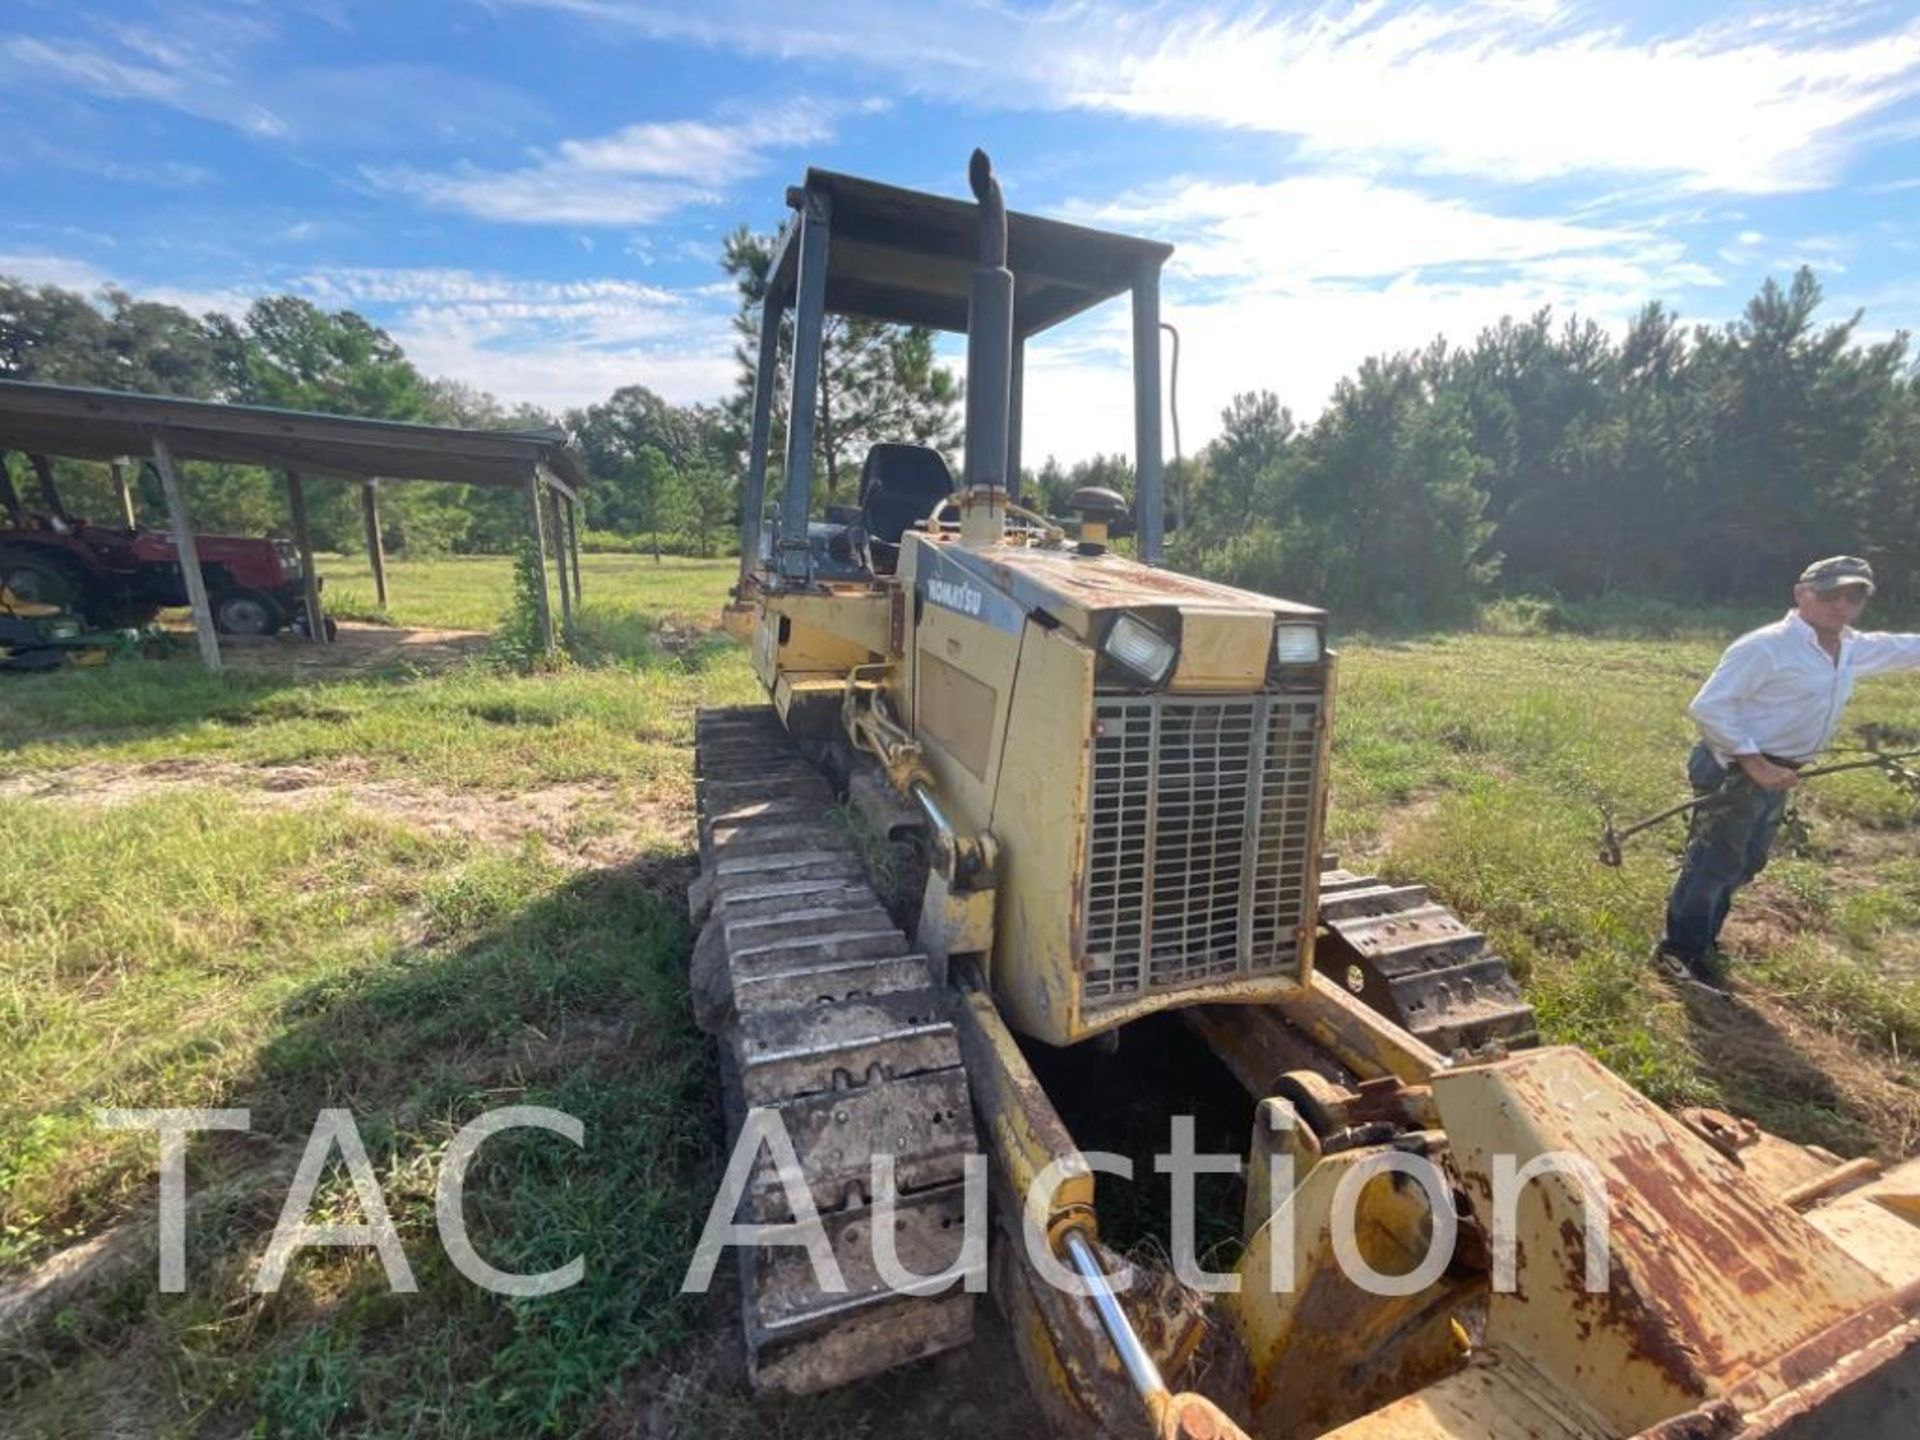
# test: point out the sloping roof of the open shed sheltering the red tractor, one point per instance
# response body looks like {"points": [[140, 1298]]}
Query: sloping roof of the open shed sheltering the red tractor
{"points": [[43, 420]]}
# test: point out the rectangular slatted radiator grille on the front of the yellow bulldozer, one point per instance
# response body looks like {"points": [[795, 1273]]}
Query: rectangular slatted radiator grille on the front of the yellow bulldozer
{"points": [[1197, 857]]}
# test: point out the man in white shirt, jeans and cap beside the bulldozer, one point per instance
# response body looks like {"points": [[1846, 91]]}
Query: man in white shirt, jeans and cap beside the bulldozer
{"points": [[1769, 708]]}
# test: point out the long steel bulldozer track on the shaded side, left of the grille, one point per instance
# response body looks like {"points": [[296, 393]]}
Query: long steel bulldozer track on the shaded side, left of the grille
{"points": [[832, 1020]]}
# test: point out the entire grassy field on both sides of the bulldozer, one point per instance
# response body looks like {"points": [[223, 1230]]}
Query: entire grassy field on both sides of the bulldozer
{"points": [[421, 896]]}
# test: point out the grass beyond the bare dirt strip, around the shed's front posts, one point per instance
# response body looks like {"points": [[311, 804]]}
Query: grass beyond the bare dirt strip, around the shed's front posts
{"points": [[623, 717]]}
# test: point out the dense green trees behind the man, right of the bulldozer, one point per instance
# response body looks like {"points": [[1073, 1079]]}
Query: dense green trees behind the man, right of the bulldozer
{"points": [[1698, 466]]}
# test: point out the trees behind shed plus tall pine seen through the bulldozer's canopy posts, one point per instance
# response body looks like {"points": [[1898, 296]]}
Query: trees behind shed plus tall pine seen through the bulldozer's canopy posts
{"points": [[661, 477]]}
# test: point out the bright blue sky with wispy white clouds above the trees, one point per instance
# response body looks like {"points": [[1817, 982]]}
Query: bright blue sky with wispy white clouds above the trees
{"points": [[531, 193]]}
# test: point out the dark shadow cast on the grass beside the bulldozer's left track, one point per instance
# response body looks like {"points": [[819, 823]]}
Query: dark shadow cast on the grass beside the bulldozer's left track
{"points": [[569, 999]]}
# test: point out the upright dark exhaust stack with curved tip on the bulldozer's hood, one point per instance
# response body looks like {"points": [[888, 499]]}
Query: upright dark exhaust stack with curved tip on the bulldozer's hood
{"points": [[990, 366]]}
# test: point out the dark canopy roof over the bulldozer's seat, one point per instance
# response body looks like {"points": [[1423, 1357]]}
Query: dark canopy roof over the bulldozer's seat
{"points": [[907, 256]]}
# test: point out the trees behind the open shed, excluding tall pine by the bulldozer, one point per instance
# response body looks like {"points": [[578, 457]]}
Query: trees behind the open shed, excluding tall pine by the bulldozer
{"points": [[661, 475]]}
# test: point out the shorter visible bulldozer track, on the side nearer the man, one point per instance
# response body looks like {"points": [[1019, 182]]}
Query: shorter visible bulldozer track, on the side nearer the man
{"points": [[1420, 965]]}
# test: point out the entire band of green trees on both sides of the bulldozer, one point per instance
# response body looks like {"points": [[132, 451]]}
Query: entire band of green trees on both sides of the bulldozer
{"points": [[1545, 458]]}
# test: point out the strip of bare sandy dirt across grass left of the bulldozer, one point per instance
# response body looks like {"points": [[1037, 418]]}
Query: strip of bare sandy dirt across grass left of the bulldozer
{"points": [[581, 825]]}
